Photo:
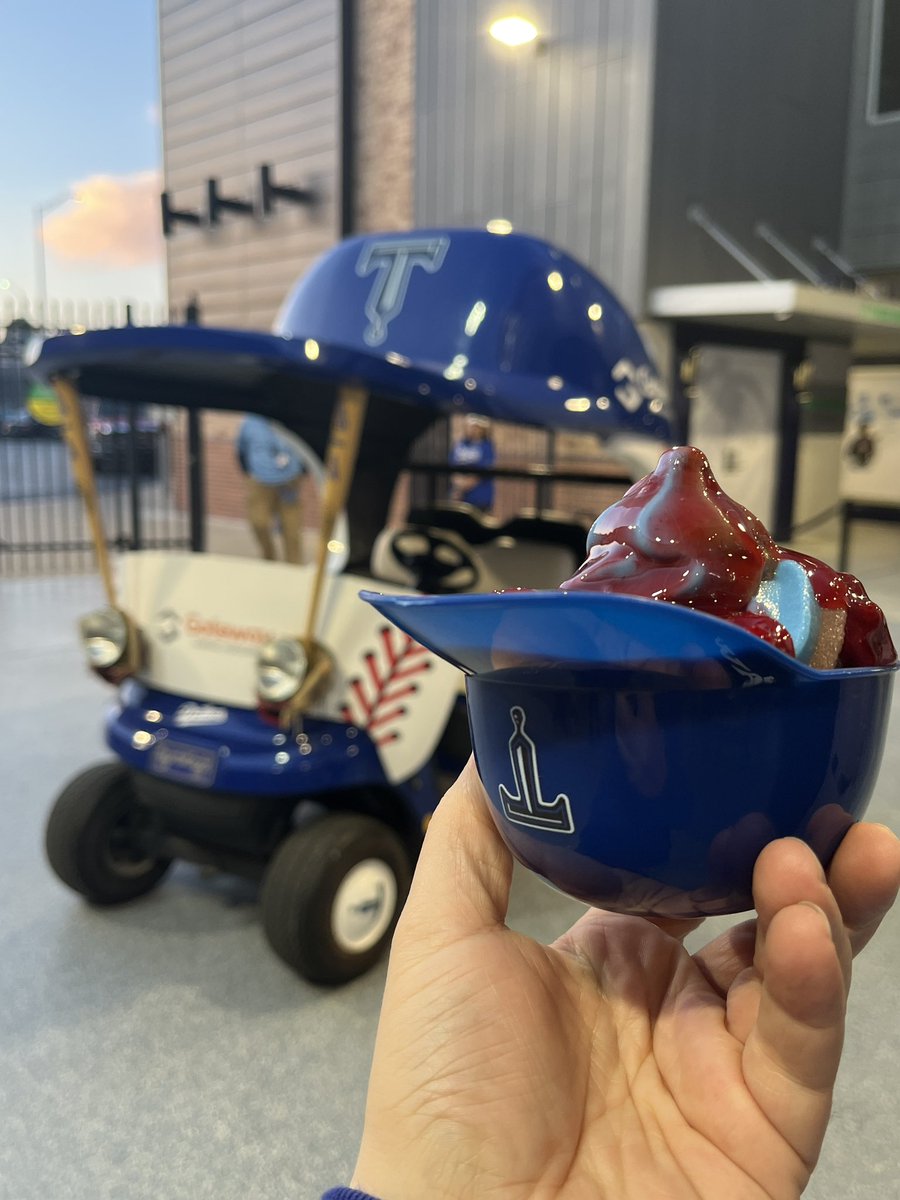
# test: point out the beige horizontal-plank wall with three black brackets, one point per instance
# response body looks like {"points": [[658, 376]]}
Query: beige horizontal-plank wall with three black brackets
{"points": [[249, 83]]}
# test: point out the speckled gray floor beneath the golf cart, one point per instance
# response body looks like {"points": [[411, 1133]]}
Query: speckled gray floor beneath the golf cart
{"points": [[161, 1051]]}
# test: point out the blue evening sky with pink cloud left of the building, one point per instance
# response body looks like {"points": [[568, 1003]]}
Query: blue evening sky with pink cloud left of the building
{"points": [[80, 123]]}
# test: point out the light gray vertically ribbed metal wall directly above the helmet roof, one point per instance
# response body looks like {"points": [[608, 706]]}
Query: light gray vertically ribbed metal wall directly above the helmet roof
{"points": [[554, 139]]}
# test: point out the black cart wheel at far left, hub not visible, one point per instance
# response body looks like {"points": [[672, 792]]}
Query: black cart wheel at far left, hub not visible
{"points": [[94, 837]]}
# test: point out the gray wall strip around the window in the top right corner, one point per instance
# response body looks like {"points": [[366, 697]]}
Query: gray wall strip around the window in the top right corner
{"points": [[872, 200]]}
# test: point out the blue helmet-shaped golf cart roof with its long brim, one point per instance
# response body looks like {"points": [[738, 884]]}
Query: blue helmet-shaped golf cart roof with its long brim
{"points": [[430, 322]]}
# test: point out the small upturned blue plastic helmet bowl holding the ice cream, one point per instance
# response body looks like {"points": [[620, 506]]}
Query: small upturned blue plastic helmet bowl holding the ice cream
{"points": [[638, 755]]}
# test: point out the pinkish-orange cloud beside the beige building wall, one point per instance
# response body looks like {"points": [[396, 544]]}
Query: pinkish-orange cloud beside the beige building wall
{"points": [[113, 221]]}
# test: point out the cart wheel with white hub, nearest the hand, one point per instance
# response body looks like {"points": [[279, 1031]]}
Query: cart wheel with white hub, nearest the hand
{"points": [[333, 895]]}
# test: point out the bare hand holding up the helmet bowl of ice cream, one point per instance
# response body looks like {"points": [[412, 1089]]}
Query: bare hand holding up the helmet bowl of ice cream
{"points": [[613, 1065]]}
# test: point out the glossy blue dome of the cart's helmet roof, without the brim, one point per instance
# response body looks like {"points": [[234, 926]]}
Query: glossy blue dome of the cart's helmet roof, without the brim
{"points": [[507, 326]]}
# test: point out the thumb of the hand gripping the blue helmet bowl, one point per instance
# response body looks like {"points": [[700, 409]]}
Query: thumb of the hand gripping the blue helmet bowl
{"points": [[463, 881]]}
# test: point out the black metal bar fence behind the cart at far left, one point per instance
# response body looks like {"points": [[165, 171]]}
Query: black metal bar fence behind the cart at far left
{"points": [[140, 458]]}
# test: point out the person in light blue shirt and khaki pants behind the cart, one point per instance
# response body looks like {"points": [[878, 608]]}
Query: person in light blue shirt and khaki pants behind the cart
{"points": [[273, 469]]}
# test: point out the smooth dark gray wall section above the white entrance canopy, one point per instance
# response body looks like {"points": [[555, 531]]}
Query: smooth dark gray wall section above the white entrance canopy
{"points": [[751, 122]]}
